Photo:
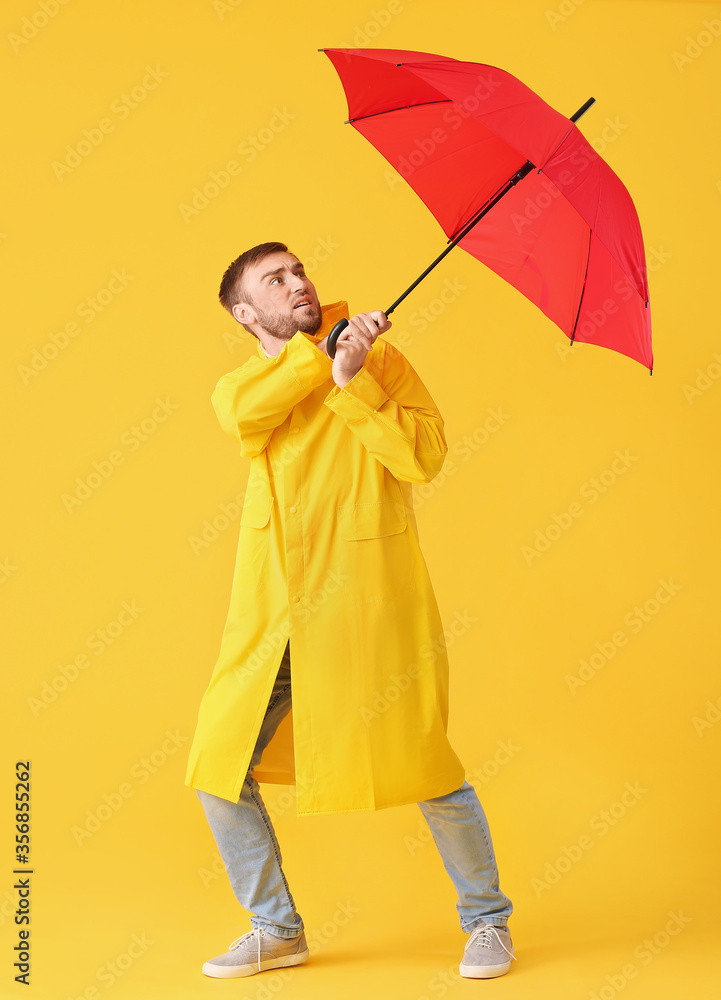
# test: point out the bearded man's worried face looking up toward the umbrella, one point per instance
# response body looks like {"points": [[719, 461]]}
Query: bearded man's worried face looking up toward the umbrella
{"points": [[281, 297]]}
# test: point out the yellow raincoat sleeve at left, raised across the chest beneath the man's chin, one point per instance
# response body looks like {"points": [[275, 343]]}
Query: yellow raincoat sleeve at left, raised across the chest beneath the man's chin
{"points": [[253, 400]]}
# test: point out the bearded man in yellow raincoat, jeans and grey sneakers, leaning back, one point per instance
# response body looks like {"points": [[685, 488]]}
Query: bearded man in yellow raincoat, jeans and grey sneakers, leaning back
{"points": [[329, 563]]}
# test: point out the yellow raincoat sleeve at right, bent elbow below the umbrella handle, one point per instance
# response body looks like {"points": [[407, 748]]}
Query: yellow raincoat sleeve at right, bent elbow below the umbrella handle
{"points": [[395, 418]]}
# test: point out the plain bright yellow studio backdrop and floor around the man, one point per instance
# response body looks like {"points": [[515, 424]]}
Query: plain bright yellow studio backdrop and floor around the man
{"points": [[152, 869]]}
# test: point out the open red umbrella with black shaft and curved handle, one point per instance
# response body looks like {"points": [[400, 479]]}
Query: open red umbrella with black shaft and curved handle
{"points": [[513, 182]]}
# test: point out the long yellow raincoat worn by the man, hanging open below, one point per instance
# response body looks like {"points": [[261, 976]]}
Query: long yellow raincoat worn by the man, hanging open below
{"points": [[328, 557]]}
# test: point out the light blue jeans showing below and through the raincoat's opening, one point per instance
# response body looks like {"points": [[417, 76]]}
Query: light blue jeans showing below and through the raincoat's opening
{"points": [[251, 854]]}
